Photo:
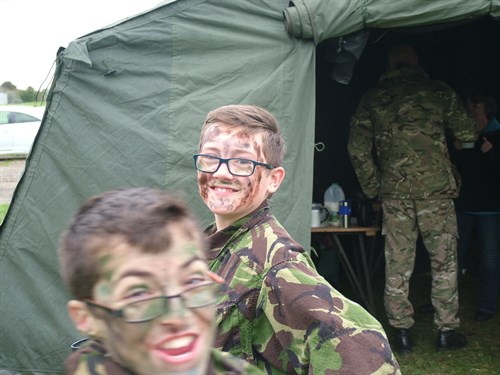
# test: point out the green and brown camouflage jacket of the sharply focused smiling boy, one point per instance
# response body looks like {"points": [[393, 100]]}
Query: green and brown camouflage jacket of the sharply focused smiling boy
{"points": [[280, 314]]}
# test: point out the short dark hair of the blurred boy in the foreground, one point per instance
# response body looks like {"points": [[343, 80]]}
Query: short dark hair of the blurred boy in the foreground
{"points": [[139, 217]]}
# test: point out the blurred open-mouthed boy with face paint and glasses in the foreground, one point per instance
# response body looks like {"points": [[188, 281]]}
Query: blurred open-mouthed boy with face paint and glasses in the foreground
{"points": [[134, 261]]}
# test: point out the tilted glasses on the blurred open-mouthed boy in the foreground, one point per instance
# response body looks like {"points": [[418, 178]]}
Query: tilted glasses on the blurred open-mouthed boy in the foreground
{"points": [[151, 308]]}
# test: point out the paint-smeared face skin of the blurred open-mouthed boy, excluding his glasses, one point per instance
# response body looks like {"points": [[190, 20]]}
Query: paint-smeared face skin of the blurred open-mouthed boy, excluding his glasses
{"points": [[176, 342]]}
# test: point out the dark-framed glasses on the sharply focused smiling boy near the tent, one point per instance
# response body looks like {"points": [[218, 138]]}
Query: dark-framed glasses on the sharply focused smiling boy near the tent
{"points": [[236, 166]]}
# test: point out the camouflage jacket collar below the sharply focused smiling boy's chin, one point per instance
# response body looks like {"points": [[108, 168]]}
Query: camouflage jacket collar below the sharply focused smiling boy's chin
{"points": [[217, 240]]}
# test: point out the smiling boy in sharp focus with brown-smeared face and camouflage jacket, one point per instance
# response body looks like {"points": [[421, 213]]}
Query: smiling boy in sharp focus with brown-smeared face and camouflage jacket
{"points": [[278, 312]]}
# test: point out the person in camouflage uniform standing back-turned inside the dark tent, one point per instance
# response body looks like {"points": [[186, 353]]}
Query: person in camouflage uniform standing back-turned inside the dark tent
{"points": [[405, 119]]}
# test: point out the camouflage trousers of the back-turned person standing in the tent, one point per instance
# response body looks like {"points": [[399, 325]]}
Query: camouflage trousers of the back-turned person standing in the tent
{"points": [[436, 221]]}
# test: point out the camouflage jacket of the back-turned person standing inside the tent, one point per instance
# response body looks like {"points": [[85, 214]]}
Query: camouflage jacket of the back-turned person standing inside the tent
{"points": [[405, 118]]}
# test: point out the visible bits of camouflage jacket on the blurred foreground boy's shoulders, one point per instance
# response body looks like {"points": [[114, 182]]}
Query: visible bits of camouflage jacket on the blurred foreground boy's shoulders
{"points": [[93, 359]]}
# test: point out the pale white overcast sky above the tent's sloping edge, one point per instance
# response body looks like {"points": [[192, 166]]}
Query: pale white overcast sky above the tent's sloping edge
{"points": [[31, 32]]}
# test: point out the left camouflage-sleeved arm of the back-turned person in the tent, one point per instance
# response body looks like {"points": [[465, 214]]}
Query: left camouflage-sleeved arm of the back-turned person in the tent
{"points": [[359, 147]]}
